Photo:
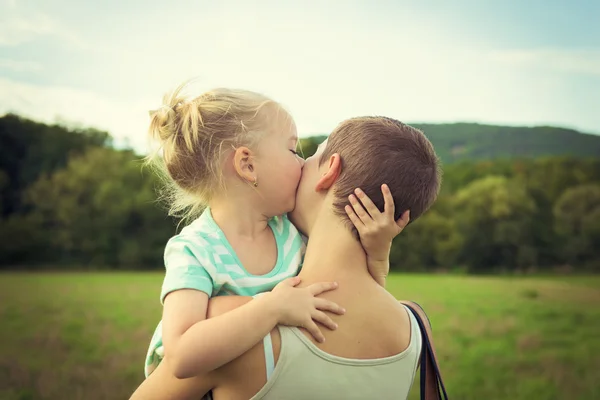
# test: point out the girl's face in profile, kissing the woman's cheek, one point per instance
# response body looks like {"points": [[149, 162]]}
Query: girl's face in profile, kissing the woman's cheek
{"points": [[279, 167]]}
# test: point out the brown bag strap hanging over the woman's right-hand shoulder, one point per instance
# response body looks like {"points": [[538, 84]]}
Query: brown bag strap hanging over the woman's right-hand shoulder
{"points": [[431, 377]]}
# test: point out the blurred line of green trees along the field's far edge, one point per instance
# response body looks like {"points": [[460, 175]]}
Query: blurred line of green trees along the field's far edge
{"points": [[69, 199]]}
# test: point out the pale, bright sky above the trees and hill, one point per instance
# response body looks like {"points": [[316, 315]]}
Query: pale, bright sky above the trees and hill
{"points": [[106, 64]]}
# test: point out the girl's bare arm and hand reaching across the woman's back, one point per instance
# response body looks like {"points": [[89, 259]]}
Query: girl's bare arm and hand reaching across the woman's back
{"points": [[195, 345]]}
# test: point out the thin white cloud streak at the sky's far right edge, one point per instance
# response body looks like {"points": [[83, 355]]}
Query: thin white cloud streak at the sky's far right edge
{"points": [[579, 61]]}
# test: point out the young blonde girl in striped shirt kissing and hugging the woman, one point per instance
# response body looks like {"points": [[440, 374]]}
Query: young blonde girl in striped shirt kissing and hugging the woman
{"points": [[230, 156]]}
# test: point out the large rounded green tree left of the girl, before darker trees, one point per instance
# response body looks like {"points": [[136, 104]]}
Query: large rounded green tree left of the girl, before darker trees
{"points": [[100, 210]]}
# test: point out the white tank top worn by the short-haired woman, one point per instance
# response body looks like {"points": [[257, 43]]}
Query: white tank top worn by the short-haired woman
{"points": [[304, 371]]}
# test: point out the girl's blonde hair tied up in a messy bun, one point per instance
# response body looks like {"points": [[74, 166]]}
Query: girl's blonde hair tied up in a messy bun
{"points": [[195, 134]]}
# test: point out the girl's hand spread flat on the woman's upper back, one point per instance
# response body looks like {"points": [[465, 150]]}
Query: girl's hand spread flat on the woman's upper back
{"points": [[300, 306]]}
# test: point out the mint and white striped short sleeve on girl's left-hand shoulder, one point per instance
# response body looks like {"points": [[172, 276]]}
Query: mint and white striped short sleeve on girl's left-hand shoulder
{"points": [[186, 268]]}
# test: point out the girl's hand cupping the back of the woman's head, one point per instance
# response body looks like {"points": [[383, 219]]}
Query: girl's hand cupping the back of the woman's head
{"points": [[376, 229]]}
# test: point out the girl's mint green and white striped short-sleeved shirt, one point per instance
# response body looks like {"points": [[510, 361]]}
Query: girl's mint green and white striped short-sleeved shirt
{"points": [[201, 258]]}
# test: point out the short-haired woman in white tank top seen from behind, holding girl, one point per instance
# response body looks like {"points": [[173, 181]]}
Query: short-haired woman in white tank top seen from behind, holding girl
{"points": [[376, 349]]}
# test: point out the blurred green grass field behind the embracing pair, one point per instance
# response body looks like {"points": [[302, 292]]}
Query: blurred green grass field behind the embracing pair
{"points": [[84, 335]]}
